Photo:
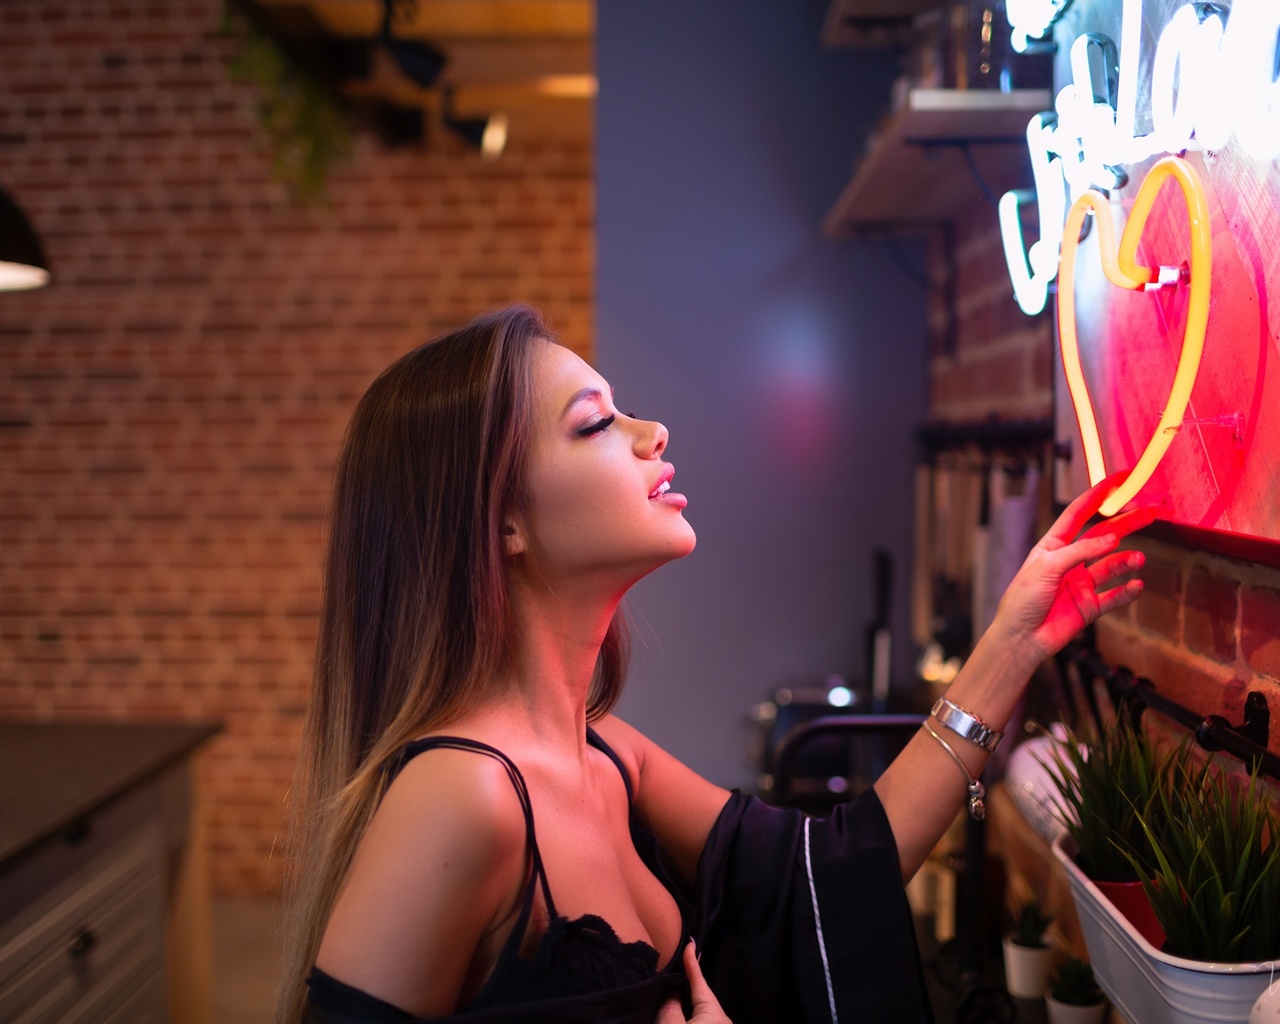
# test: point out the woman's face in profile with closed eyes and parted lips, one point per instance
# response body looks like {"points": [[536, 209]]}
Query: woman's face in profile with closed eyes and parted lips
{"points": [[600, 500]]}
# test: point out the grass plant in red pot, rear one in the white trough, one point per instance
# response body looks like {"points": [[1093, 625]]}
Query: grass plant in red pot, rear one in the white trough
{"points": [[1105, 785]]}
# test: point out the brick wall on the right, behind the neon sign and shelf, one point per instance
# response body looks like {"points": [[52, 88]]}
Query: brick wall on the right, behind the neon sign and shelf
{"points": [[1208, 628]]}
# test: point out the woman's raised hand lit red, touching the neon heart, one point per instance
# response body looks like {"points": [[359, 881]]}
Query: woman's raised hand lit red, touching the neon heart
{"points": [[1062, 587]]}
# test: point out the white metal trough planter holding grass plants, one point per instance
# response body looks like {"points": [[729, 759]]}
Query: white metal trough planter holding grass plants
{"points": [[1150, 986]]}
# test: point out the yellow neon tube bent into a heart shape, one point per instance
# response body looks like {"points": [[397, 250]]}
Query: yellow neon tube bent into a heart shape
{"points": [[1122, 271]]}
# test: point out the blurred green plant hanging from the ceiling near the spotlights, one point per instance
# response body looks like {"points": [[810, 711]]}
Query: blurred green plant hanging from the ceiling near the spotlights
{"points": [[304, 122]]}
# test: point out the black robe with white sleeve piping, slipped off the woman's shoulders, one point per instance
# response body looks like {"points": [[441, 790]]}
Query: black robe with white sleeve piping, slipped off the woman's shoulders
{"points": [[798, 921]]}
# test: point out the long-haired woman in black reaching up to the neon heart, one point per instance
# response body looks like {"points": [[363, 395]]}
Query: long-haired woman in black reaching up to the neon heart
{"points": [[477, 836]]}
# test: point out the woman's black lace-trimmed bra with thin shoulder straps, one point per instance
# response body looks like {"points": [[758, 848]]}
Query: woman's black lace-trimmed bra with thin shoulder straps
{"points": [[573, 959]]}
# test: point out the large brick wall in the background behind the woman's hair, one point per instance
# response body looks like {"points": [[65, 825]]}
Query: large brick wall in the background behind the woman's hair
{"points": [[182, 388]]}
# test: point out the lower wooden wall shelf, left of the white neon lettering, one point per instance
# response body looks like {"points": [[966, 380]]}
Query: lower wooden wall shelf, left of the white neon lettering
{"points": [[916, 173]]}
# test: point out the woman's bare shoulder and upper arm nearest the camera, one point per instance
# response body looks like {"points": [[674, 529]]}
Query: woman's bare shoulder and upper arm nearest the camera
{"points": [[440, 868]]}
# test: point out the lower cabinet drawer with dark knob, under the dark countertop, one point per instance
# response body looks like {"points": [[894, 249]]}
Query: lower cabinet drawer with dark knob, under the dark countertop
{"points": [[109, 927]]}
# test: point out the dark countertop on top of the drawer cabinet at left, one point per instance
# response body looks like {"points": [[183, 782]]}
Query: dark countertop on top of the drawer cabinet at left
{"points": [[54, 774]]}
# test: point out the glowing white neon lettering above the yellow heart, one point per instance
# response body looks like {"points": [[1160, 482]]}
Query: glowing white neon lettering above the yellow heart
{"points": [[1226, 72]]}
